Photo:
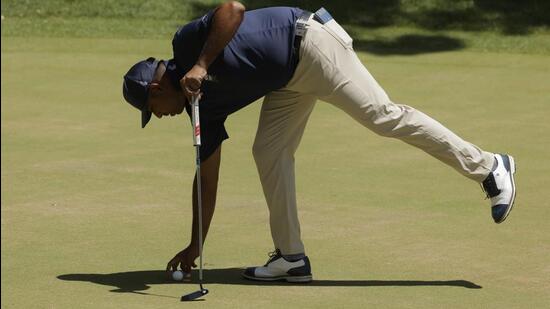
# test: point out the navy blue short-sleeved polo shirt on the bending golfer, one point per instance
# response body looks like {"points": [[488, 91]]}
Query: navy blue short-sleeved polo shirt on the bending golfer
{"points": [[259, 59]]}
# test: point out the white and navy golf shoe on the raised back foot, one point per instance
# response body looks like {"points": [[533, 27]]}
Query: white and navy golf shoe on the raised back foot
{"points": [[500, 187]]}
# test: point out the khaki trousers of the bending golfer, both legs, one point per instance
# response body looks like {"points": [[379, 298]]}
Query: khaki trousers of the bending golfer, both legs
{"points": [[331, 71]]}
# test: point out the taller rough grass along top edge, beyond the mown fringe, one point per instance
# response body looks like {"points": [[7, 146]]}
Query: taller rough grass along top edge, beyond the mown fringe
{"points": [[507, 16]]}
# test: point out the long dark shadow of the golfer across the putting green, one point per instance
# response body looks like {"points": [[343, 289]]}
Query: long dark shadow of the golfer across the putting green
{"points": [[135, 281]]}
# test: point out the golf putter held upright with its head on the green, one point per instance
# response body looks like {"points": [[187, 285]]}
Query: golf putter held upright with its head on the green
{"points": [[195, 121]]}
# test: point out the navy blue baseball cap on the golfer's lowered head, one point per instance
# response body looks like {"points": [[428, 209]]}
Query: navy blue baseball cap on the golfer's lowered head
{"points": [[136, 86]]}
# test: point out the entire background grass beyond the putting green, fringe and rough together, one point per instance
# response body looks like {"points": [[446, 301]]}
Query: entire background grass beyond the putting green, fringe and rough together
{"points": [[390, 26]]}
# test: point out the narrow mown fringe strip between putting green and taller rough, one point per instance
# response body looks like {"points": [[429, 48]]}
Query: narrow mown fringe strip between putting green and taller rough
{"points": [[384, 40]]}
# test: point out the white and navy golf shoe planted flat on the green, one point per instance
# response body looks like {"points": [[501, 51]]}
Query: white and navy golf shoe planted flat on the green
{"points": [[277, 269]]}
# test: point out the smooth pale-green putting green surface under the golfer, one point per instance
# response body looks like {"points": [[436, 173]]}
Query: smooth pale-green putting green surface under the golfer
{"points": [[93, 207]]}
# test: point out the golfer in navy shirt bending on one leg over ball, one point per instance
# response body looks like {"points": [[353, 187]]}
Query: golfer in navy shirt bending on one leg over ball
{"points": [[292, 58]]}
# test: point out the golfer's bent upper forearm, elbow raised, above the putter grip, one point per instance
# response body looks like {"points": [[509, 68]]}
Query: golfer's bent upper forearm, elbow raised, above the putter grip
{"points": [[226, 21]]}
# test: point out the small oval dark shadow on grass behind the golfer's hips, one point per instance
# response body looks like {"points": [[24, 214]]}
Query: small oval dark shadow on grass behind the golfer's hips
{"points": [[410, 44]]}
